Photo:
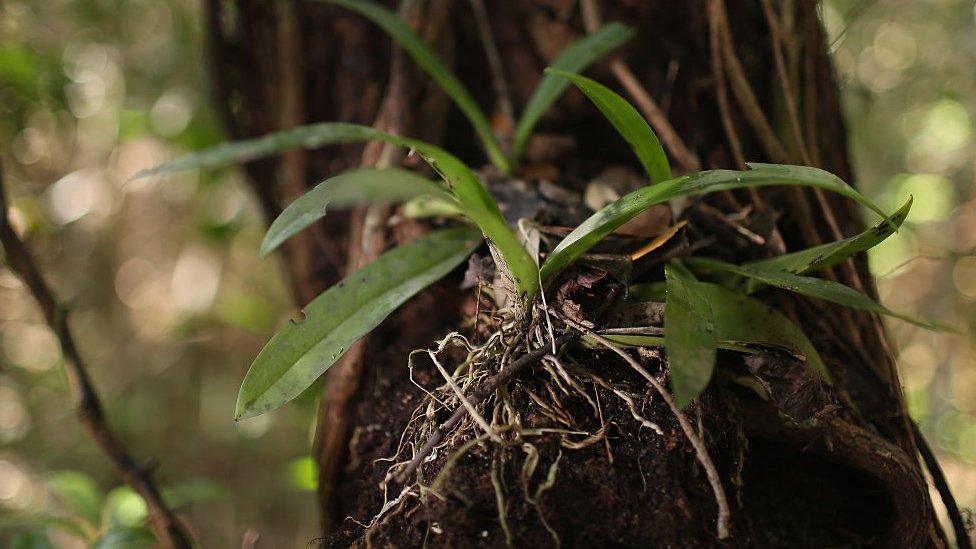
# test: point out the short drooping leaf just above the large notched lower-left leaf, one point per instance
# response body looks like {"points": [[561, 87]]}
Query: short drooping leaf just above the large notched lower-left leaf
{"points": [[358, 186]]}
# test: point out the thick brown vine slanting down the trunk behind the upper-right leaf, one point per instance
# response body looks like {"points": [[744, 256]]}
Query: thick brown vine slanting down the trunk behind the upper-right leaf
{"points": [[680, 152]]}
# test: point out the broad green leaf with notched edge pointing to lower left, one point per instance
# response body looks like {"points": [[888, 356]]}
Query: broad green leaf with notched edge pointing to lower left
{"points": [[301, 351]]}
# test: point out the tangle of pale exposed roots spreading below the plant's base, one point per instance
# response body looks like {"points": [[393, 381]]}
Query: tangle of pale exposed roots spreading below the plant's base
{"points": [[491, 414]]}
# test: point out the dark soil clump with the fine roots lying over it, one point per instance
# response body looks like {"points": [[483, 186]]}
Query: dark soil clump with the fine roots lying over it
{"points": [[583, 468]]}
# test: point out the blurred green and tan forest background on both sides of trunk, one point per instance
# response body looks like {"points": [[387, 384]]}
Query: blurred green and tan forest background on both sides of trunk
{"points": [[171, 302]]}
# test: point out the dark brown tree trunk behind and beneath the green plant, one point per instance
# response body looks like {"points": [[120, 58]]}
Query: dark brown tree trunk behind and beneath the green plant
{"points": [[846, 476]]}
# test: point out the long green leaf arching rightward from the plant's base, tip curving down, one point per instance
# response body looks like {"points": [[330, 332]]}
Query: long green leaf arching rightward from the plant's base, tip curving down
{"points": [[609, 218]]}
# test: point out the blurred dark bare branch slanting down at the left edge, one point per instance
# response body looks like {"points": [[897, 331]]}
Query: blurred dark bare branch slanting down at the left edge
{"points": [[168, 529]]}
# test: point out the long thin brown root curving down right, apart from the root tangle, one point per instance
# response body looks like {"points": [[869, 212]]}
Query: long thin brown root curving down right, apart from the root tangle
{"points": [[722, 522]]}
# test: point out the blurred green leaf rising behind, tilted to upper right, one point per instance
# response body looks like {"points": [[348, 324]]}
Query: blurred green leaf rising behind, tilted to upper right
{"points": [[574, 58]]}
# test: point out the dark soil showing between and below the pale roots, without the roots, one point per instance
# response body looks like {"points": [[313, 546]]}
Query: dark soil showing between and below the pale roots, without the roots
{"points": [[652, 492]]}
